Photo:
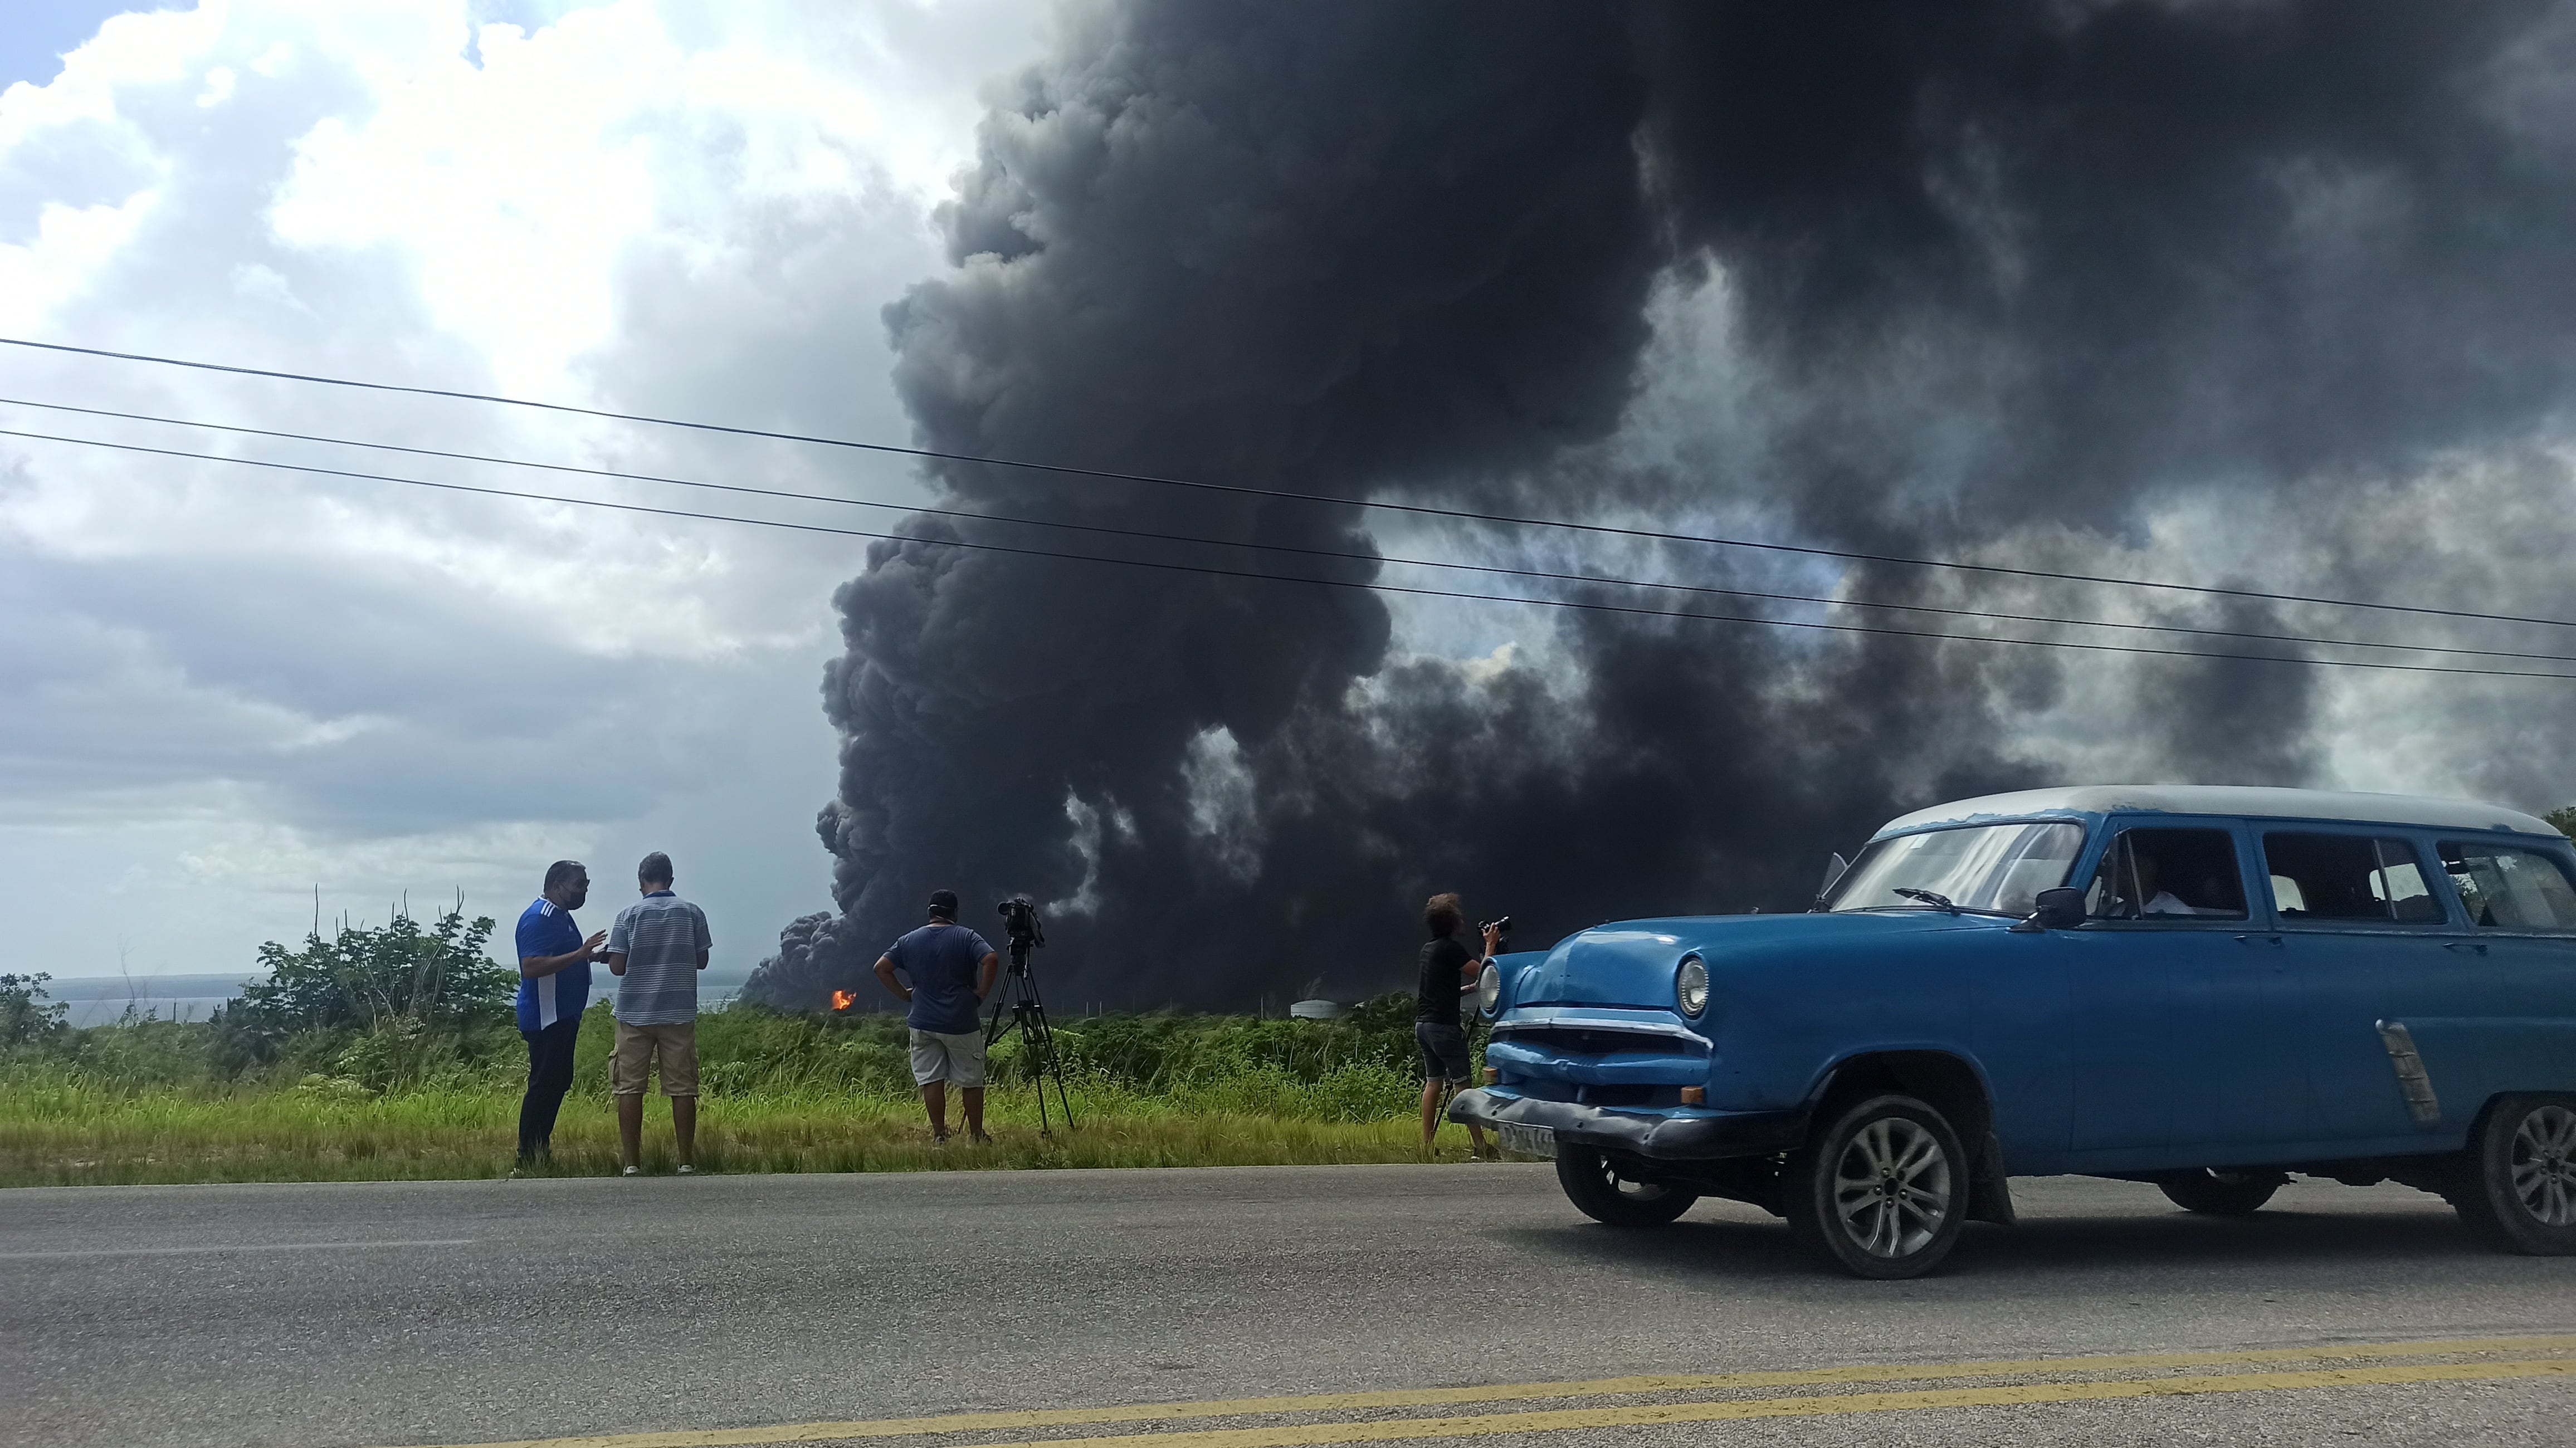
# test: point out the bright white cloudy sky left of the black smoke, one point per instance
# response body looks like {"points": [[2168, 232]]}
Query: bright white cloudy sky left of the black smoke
{"points": [[236, 684]]}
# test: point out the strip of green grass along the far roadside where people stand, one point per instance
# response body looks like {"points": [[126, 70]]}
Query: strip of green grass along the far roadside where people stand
{"points": [[782, 1096]]}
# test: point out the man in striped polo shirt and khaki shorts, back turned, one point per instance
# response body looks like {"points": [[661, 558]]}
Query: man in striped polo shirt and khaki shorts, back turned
{"points": [[656, 949]]}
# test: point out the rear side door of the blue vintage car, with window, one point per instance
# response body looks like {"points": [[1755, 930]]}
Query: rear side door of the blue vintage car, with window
{"points": [[2371, 944]]}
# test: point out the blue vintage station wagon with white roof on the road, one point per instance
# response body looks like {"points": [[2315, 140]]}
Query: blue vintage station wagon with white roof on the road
{"points": [[2196, 988]]}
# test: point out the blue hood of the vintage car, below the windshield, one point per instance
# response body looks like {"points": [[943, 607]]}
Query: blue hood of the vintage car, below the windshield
{"points": [[1632, 962]]}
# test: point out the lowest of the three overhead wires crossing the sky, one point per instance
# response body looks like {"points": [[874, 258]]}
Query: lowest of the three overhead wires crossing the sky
{"points": [[1209, 571]]}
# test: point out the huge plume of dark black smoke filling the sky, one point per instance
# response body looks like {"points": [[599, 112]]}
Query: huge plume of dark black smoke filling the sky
{"points": [[1995, 277]]}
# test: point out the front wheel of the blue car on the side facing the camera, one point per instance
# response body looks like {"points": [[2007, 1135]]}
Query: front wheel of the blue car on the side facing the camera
{"points": [[1882, 1192]]}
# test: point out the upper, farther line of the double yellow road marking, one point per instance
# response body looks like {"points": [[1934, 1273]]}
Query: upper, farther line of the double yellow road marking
{"points": [[1521, 1393]]}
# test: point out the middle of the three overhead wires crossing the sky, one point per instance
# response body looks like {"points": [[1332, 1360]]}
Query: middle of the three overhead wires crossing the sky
{"points": [[1349, 555]]}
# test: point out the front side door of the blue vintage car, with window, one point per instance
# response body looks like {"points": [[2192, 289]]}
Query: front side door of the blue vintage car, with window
{"points": [[2168, 1016]]}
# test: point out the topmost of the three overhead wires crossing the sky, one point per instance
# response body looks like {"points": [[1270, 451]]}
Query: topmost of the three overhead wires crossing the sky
{"points": [[1248, 491]]}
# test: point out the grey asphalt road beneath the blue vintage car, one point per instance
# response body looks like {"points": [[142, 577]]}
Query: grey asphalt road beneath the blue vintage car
{"points": [[462, 1313]]}
